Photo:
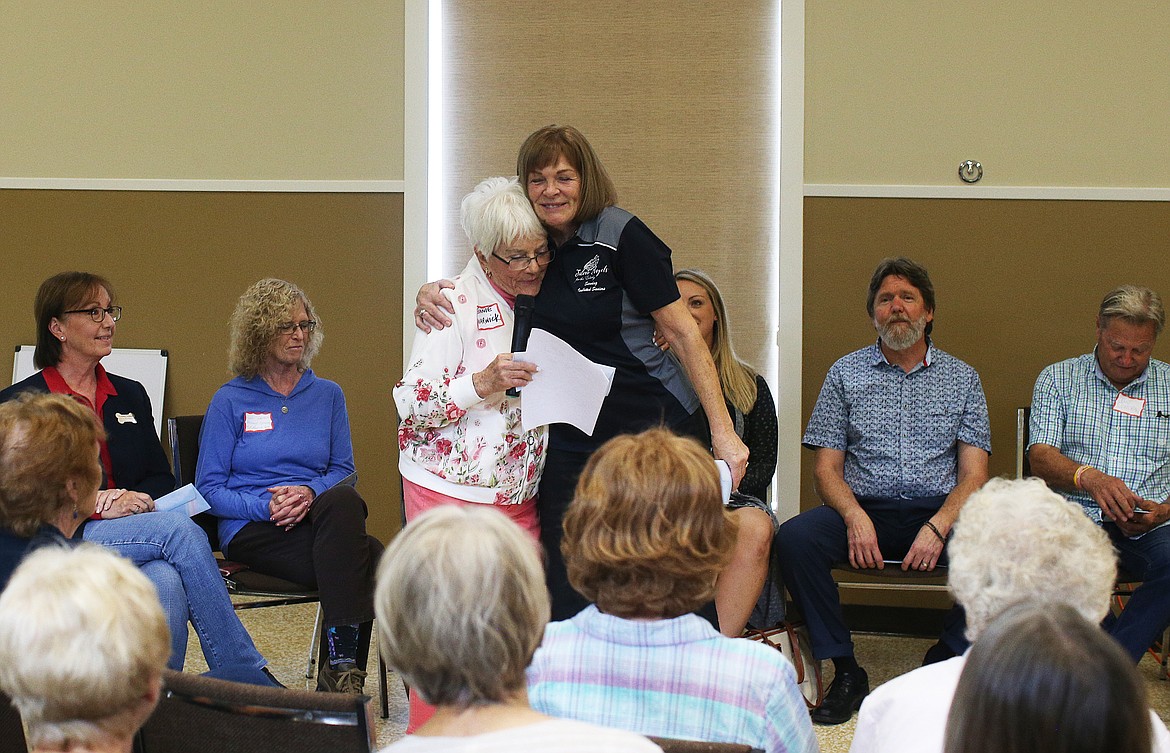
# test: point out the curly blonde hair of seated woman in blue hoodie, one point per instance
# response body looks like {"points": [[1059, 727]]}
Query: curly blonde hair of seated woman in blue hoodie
{"points": [[257, 321]]}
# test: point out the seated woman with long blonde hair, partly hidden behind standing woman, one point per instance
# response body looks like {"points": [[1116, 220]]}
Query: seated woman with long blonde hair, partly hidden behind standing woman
{"points": [[754, 417]]}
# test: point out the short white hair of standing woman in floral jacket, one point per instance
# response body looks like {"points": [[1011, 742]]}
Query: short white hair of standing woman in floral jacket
{"points": [[498, 212]]}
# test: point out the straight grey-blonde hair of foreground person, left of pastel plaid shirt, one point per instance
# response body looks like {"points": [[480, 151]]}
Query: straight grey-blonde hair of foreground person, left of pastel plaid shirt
{"points": [[462, 606]]}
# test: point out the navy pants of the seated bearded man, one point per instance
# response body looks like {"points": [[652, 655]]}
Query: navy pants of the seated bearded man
{"points": [[814, 542]]}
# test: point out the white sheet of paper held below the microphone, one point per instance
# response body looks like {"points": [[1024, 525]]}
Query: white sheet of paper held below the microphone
{"points": [[569, 389]]}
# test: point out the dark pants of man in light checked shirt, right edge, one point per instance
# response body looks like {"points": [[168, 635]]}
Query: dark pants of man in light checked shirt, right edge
{"points": [[1147, 613]]}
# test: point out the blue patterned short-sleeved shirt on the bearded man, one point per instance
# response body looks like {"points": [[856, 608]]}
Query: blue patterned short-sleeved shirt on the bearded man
{"points": [[900, 432]]}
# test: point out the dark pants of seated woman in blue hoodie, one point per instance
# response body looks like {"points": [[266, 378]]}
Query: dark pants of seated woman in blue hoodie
{"points": [[329, 551]]}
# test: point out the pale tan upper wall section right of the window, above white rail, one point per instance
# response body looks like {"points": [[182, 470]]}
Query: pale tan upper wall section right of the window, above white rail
{"points": [[1042, 94]]}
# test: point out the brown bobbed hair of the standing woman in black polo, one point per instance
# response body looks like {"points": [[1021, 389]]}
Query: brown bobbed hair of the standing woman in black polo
{"points": [[546, 146]]}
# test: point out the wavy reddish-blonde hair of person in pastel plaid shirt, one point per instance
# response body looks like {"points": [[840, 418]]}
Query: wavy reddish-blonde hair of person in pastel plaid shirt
{"points": [[646, 535]]}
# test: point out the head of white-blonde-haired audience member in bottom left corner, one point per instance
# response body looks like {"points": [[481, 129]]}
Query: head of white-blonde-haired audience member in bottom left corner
{"points": [[84, 643]]}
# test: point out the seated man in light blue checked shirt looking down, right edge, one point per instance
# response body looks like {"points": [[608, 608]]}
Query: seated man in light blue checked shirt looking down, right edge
{"points": [[1100, 434]]}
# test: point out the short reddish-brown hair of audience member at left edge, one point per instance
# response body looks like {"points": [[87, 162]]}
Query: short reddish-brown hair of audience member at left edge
{"points": [[46, 443]]}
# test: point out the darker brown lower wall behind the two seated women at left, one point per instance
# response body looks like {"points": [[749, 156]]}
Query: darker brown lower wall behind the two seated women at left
{"points": [[180, 261]]}
